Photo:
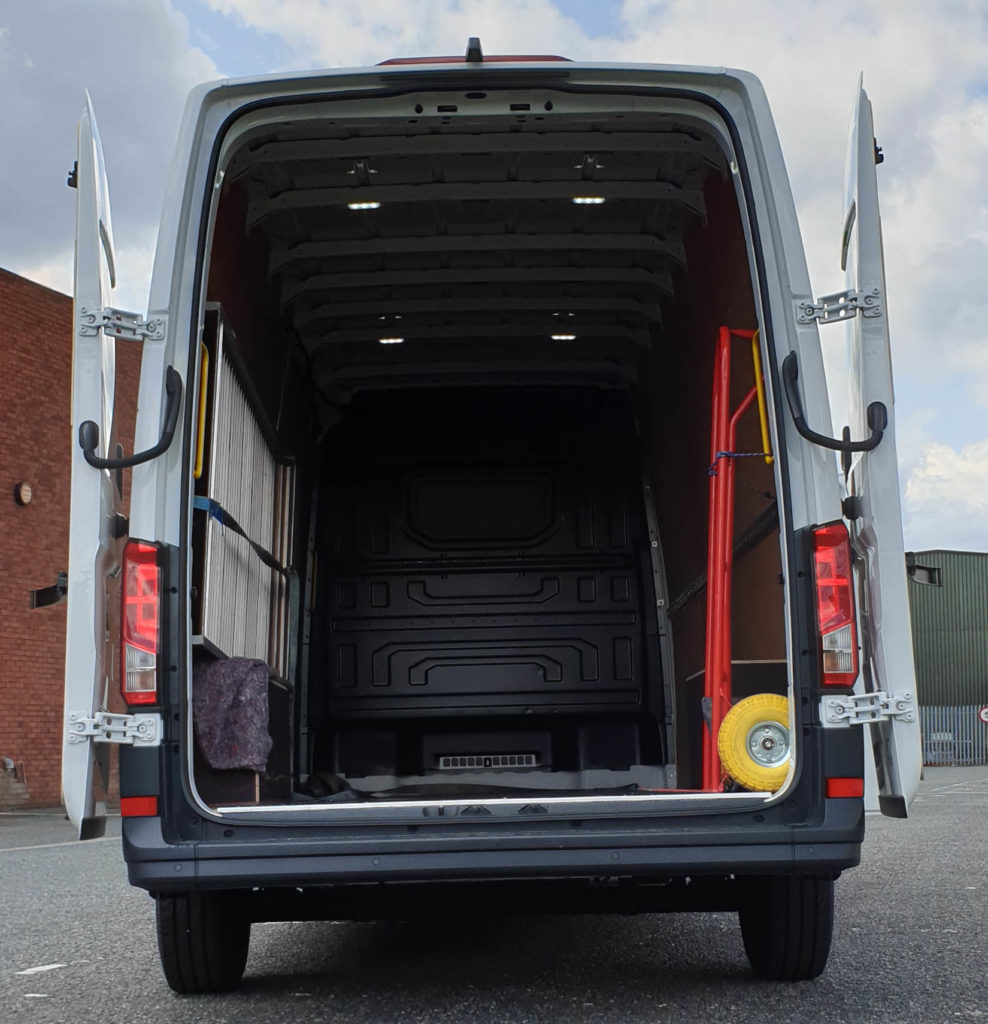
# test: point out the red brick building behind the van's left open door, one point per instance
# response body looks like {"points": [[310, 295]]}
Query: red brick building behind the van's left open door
{"points": [[35, 419]]}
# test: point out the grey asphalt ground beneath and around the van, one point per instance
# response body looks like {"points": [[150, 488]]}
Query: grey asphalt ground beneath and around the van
{"points": [[911, 946]]}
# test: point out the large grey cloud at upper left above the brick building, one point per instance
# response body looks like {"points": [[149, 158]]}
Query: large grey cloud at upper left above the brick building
{"points": [[137, 63]]}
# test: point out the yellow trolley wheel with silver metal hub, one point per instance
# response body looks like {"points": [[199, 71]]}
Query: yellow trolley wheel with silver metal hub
{"points": [[754, 742]]}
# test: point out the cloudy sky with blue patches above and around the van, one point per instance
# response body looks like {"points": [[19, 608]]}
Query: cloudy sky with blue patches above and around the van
{"points": [[926, 68]]}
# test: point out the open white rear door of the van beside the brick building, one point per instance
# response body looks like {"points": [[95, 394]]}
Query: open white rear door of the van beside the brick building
{"points": [[94, 549]]}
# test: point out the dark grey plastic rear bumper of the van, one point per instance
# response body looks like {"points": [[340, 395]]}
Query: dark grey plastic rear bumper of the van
{"points": [[670, 850]]}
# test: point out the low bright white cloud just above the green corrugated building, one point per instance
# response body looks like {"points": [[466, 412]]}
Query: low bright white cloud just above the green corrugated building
{"points": [[947, 500]]}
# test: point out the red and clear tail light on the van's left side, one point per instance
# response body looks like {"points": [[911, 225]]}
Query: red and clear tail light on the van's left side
{"points": [[140, 624]]}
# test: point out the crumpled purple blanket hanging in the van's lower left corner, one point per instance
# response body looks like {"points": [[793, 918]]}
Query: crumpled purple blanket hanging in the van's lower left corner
{"points": [[230, 703]]}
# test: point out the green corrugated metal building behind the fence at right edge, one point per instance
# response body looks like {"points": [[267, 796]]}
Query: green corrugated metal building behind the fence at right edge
{"points": [[949, 600]]}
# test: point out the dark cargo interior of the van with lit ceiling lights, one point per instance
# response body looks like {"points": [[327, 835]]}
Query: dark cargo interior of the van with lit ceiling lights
{"points": [[457, 382]]}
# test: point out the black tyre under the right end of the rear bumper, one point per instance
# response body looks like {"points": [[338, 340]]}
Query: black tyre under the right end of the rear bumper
{"points": [[787, 925]]}
